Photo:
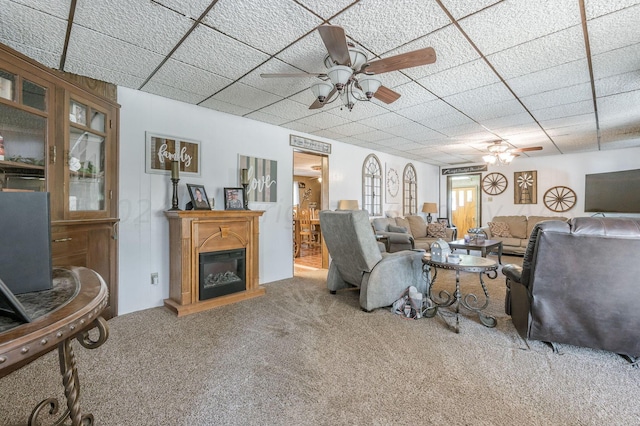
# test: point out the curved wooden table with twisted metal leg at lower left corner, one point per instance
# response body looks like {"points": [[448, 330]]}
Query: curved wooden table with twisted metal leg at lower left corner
{"points": [[73, 319]]}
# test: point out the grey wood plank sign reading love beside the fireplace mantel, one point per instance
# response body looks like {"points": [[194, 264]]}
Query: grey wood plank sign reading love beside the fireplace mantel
{"points": [[262, 175]]}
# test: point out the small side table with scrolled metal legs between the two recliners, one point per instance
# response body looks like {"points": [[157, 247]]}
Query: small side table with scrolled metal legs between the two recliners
{"points": [[474, 264]]}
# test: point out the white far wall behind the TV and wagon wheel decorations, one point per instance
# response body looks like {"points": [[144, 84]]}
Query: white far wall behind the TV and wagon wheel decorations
{"points": [[558, 170]]}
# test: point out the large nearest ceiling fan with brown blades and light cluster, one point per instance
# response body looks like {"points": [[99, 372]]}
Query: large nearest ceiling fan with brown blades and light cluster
{"points": [[350, 76]]}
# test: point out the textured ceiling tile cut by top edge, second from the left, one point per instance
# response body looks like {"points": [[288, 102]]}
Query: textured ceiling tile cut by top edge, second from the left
{"points": [[144, 24]]}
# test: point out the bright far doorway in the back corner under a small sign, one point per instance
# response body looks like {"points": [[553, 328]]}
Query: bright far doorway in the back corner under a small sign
{"points": [[463, 193]]}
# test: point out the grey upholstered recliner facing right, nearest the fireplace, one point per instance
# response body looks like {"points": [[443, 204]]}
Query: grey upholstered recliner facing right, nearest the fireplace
{"points": [[356, 260]]}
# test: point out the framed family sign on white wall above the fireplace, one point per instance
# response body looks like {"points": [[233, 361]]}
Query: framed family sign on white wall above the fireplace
{"points": [[163, 149]]}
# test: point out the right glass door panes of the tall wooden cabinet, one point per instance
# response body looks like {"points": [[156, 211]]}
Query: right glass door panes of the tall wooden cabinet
{"points": [[86, 161]]}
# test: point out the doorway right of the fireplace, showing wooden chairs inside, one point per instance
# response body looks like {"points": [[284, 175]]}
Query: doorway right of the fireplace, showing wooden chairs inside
{"points": [[310, 195]]}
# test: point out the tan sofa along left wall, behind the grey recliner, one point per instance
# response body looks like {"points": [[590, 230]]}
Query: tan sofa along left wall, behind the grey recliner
{"points": [[415, 237]]}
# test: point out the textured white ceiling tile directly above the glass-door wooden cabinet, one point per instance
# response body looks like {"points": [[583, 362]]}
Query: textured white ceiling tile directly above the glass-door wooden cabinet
{"points": [[102, 57]]}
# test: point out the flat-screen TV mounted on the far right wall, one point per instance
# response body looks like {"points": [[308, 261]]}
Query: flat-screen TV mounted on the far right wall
{"points": [[614, 192]]}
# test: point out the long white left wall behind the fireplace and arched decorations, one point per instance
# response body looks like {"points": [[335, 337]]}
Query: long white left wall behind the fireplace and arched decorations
{"points": [[144, 239]]}
